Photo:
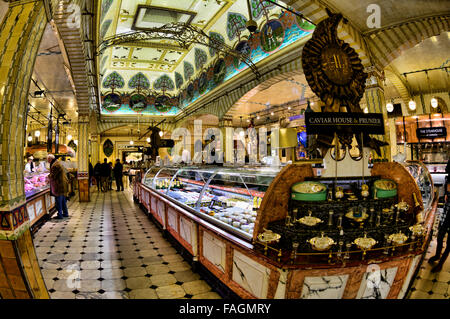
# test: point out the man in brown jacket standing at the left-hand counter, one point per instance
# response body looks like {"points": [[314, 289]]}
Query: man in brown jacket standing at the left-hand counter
{"points": [[59, 185]]}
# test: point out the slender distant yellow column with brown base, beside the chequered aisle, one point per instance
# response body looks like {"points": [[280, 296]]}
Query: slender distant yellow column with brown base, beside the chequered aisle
{"points": [[83, 157]]}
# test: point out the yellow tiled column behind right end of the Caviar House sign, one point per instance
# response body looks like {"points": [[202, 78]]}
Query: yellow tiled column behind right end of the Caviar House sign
{"points": [[376, 103]]}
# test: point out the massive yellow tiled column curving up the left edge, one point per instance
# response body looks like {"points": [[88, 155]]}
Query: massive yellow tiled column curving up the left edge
{"points": [[20, 36]]}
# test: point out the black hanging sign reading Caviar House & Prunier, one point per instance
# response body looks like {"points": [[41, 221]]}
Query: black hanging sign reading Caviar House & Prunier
{"points": [[336, 122]]}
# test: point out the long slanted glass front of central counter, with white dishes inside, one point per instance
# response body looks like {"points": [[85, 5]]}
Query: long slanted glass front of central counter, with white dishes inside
{"points": [[226, 197]]}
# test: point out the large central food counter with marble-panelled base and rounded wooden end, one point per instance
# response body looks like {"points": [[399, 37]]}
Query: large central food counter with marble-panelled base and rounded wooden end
{"points": [[286, 233]]}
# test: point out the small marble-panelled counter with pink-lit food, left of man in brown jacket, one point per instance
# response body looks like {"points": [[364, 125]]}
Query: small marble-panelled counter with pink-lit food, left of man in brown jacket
{"points": [[39, 202]]}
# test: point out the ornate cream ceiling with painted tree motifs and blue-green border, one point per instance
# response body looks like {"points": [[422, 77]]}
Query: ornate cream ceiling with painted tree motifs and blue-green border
{"points": [[177, 76]]}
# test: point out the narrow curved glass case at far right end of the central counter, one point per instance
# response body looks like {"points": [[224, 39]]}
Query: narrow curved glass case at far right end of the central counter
{"points": [[422, 176]]}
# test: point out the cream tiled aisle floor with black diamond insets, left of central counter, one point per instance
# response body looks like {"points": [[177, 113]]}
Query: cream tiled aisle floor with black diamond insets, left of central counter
{"points": [[108, 248]]}
